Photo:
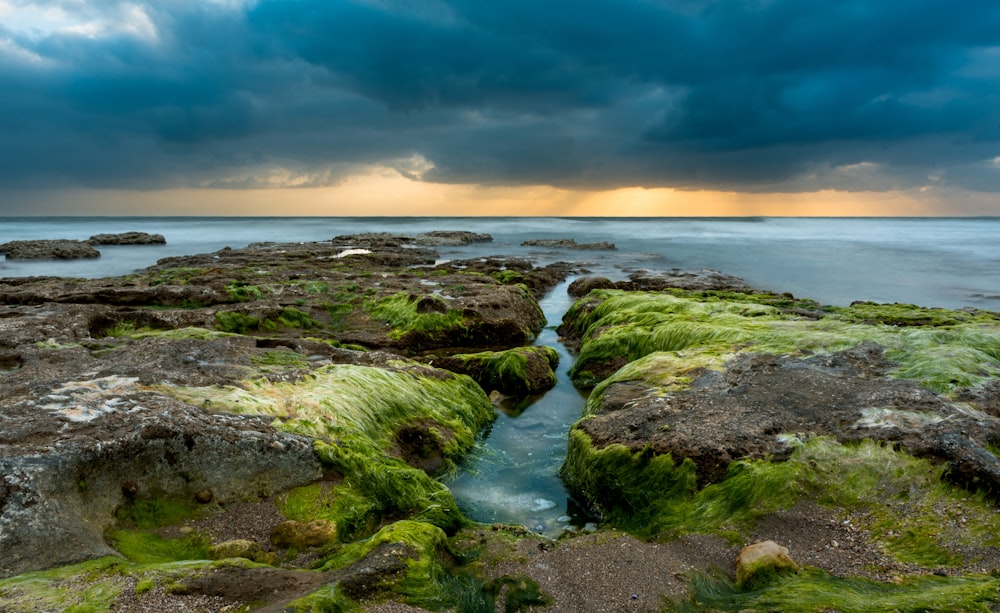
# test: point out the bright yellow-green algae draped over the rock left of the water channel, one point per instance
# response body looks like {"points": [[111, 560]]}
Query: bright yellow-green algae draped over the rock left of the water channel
{"points": [[358, 412]]}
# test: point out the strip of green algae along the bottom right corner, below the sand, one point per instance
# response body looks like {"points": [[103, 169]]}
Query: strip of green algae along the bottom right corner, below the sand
{"points": [[816, 591]]}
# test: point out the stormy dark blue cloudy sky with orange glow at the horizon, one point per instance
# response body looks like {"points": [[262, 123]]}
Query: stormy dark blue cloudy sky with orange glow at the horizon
{"points": [[513, 107]]}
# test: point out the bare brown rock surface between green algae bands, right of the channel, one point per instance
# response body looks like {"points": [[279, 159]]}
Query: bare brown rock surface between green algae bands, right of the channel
{"points": [[747, 410]]}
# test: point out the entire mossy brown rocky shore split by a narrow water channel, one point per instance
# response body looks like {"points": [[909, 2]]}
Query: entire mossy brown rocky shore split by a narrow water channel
{"points": [[266, 428]]}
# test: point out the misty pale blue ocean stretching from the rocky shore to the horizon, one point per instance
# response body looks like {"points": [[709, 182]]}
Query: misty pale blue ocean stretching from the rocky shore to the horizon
{"points": [[940, 262]]}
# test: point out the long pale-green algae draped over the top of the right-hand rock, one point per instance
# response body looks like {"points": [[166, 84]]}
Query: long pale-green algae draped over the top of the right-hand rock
{"points": [[619, 327]]}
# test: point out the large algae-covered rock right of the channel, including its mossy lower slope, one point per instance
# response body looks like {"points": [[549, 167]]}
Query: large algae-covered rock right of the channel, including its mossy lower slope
{"points": [[713, 410]]}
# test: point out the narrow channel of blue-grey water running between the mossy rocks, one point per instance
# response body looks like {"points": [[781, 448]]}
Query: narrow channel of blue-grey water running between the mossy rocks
{"points": [[513, 475]]}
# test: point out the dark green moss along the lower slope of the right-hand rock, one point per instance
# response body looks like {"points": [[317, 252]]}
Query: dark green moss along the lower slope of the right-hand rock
{"points": [[910, 510]]}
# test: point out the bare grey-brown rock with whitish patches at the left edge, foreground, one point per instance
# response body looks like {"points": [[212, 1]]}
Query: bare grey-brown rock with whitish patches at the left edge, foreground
{"points": [[81, 449]]}
